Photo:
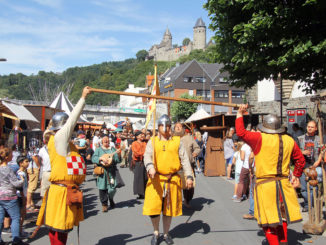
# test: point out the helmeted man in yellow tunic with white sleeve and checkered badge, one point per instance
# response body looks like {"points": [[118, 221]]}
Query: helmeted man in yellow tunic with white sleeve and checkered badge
{"points": [[67, 170]]}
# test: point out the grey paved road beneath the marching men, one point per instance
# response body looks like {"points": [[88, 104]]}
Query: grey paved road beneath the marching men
{"points": [[214, 219]]}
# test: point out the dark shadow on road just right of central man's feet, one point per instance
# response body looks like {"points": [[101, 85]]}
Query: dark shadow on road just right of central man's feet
{"points": [[187, 229]]}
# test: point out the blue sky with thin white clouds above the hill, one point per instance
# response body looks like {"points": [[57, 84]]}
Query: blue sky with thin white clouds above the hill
{"points": [[53, 35]]}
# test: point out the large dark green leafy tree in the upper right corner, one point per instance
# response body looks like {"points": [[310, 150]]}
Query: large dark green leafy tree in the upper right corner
{"points": [[269, 38]]}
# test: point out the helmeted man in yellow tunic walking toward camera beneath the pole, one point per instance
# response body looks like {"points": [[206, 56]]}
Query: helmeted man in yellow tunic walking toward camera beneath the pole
{"points": [[164, 157]]}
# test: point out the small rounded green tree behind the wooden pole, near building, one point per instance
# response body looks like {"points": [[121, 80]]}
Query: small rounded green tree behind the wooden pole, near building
{"points": [[182, 110]]}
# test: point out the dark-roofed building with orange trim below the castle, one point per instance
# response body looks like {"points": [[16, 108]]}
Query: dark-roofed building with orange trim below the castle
{"points": [[203, 80]]}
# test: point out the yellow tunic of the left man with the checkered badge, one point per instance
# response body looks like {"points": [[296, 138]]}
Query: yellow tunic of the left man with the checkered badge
{"points": [[54, 212]]}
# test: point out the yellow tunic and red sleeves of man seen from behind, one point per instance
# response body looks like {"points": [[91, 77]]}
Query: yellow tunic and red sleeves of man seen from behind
{"points": [[268, 194]]}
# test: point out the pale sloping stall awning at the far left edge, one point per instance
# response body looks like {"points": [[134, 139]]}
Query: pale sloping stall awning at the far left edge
{"points": [[16, 112]]}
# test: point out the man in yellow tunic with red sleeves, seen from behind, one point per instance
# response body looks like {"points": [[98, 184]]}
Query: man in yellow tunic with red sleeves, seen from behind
{"points": [[276, 203]]}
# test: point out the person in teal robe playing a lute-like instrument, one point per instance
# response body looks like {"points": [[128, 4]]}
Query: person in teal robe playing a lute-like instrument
{"points": [[107, 158]]}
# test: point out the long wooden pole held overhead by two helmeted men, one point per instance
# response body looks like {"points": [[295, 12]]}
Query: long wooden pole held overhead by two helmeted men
{"points": [[106, 91]]}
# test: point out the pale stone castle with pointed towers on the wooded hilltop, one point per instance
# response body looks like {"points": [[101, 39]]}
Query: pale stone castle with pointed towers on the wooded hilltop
{"points": [[165, 52]]}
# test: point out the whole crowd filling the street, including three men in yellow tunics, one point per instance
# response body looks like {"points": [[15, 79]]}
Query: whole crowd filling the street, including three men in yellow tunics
{"points": [[164, 162]]}
